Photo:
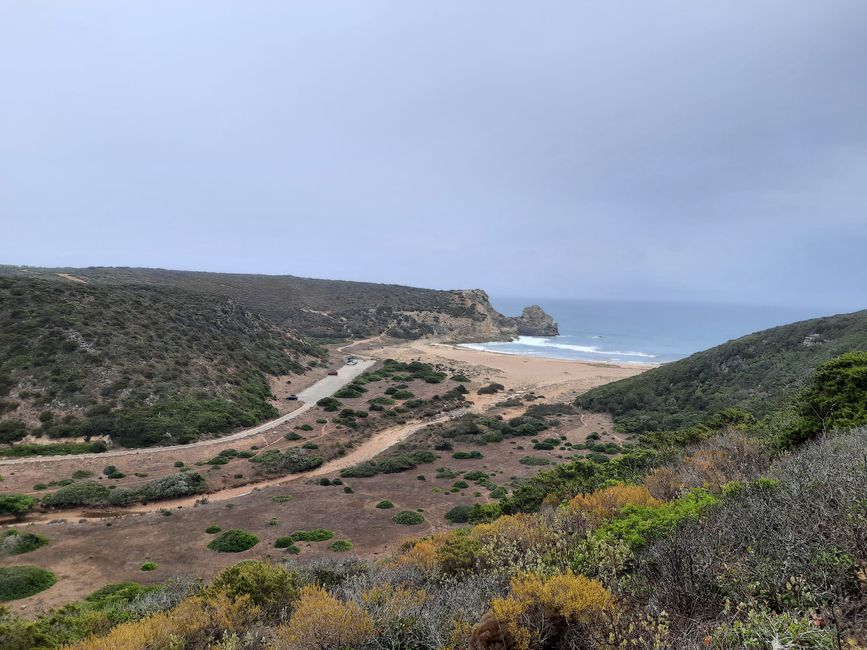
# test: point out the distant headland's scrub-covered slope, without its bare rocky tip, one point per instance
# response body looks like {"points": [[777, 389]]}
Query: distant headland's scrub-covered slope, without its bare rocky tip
{"points": [[315, 308]]}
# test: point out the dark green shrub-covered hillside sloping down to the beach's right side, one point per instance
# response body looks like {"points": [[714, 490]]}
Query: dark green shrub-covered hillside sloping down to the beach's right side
{"points": [[757, 373]]}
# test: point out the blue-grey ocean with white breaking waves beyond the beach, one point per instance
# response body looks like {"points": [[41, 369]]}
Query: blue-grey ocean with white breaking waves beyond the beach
{"points": [[639, 332]]}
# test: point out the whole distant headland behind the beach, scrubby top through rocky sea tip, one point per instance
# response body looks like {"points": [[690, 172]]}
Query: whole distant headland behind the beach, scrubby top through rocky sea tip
{"points": [[328, 309]]}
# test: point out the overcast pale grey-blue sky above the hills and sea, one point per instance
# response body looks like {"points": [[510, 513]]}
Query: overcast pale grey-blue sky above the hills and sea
{"points": [[678, 150]]}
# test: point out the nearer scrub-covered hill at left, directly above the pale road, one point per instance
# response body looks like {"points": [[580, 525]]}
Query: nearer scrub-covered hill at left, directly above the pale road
{"points": [[136, 362]]}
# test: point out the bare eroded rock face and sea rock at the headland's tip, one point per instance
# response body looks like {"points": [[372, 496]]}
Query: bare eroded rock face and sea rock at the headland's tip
{"points": [[470, 317]]}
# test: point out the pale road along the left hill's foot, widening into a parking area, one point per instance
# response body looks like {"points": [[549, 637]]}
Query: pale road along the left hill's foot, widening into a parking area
{"points": [[325, 387]]}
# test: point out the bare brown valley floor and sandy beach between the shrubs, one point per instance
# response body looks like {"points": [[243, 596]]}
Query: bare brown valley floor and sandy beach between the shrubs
{"points": [[87, 552]]}
